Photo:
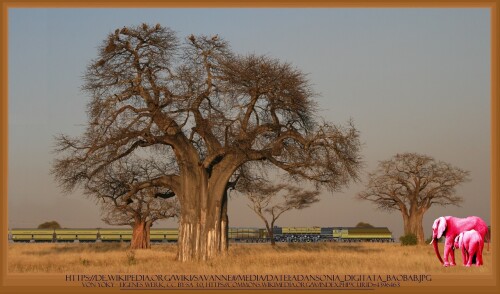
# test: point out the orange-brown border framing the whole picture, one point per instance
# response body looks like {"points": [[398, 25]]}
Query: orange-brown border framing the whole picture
{"points": [[54, 283]]}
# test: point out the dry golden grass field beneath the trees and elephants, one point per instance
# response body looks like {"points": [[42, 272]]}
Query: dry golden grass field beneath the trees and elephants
{"points": [[295, 258]]}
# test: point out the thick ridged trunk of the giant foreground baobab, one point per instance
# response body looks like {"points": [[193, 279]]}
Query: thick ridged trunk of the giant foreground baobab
{"points": [[203, 222]]}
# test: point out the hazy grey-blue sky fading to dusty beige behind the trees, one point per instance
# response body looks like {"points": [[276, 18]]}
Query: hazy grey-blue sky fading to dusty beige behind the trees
{"points": [[413, 80]]}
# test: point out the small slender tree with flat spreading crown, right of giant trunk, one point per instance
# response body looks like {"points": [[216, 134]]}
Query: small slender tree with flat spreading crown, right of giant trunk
{"points": [[269, 201]]}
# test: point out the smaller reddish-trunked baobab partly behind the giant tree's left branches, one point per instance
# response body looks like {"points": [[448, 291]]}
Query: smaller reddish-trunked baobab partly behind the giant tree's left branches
{"points": [[131, 195]]}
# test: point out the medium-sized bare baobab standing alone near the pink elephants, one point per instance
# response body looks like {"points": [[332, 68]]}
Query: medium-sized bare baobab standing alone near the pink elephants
{"points": [[412, 183]]}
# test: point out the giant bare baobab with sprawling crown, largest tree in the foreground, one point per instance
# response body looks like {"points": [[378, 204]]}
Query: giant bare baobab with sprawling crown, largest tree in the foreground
{"points": [[211, 111]]}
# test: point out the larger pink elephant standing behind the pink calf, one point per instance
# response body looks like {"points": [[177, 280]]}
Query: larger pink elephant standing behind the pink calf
{"points": [[450, 227]]}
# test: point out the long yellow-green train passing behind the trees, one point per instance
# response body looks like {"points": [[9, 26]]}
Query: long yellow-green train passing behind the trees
{"points": [[235, 234]]}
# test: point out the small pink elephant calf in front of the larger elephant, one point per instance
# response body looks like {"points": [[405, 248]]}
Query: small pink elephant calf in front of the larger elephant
{"points": [[472, 245]]}
